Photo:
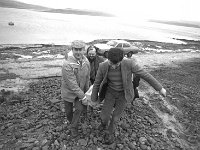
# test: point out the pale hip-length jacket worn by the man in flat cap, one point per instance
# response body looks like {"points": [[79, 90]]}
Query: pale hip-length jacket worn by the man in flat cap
{"points": [[75, 78]]}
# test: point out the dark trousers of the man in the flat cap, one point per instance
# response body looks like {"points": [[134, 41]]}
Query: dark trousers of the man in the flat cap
{"points": [[73, 117]]}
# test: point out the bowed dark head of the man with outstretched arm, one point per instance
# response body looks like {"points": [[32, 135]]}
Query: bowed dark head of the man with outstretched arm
{"points": [[115, 55]]}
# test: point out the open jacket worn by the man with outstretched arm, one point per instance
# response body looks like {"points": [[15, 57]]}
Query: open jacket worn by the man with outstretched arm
{"points": [[128, 68]]}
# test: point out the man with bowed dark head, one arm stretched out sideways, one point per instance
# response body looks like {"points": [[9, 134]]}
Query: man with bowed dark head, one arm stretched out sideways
{"points": [[114, 83]]}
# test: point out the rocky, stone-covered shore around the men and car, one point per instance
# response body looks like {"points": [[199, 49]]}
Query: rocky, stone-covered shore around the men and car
{"points": [[31, 117]]}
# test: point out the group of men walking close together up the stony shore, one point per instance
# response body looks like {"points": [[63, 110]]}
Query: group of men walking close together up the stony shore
{"points": [[111, 80]]}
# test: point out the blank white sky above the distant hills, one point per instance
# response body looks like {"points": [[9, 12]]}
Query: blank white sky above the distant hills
{"points": [[174, 10]]}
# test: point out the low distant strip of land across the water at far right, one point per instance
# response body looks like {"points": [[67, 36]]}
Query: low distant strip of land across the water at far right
{"points": [[179, 23]]}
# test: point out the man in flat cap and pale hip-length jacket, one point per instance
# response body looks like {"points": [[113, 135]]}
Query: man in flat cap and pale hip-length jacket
{"points": [[75, 82]]}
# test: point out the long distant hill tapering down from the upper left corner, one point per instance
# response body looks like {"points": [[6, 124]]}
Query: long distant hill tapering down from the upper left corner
{"points": [[21, 5]]}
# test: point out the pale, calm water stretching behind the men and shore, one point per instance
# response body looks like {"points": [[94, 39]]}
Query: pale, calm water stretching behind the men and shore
{"points": [[33, 27]]}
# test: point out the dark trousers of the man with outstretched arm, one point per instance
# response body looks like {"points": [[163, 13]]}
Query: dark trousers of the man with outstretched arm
{"points": [[112, 109]]}
